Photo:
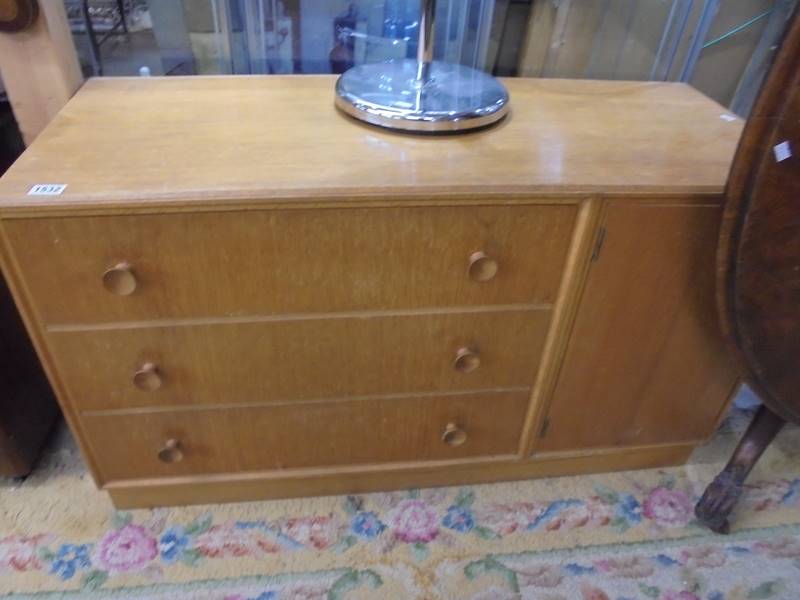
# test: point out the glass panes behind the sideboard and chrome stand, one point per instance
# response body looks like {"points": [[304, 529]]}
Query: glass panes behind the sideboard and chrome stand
{"points": [[723, 48]]}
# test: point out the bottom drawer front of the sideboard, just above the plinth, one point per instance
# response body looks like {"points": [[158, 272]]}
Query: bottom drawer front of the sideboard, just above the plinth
{"points": [[193, 442]]}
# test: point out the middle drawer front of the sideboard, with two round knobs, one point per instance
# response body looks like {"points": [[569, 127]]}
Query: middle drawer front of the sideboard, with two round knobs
{"points": [[300, 359]]}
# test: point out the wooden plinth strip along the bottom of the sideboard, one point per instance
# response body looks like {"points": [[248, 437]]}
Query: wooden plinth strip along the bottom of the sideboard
{"points": [[238, 487]]}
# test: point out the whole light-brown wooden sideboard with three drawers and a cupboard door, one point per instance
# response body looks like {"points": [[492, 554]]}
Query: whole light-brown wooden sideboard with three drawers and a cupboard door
{"points": [[241, 293]]}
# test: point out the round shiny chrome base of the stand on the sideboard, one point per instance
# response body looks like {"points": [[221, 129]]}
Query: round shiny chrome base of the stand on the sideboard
{"points": [[413, 96]]}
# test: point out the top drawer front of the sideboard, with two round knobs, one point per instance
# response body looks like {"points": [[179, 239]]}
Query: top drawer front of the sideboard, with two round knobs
{"points": [[193, 265]]}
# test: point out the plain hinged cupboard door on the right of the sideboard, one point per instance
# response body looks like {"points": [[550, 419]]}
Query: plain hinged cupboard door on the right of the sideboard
{"points": [[646, 363]]}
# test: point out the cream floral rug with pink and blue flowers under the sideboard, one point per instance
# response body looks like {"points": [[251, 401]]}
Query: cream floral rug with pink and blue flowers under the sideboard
{"points": [[613, 536]]}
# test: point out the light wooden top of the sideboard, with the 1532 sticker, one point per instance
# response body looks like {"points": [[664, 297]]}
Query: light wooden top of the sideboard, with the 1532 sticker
{"points": [[150, 142]]}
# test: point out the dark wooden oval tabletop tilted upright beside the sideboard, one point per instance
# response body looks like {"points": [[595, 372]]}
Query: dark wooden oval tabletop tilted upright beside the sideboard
{"points": [[759, 254]]}
